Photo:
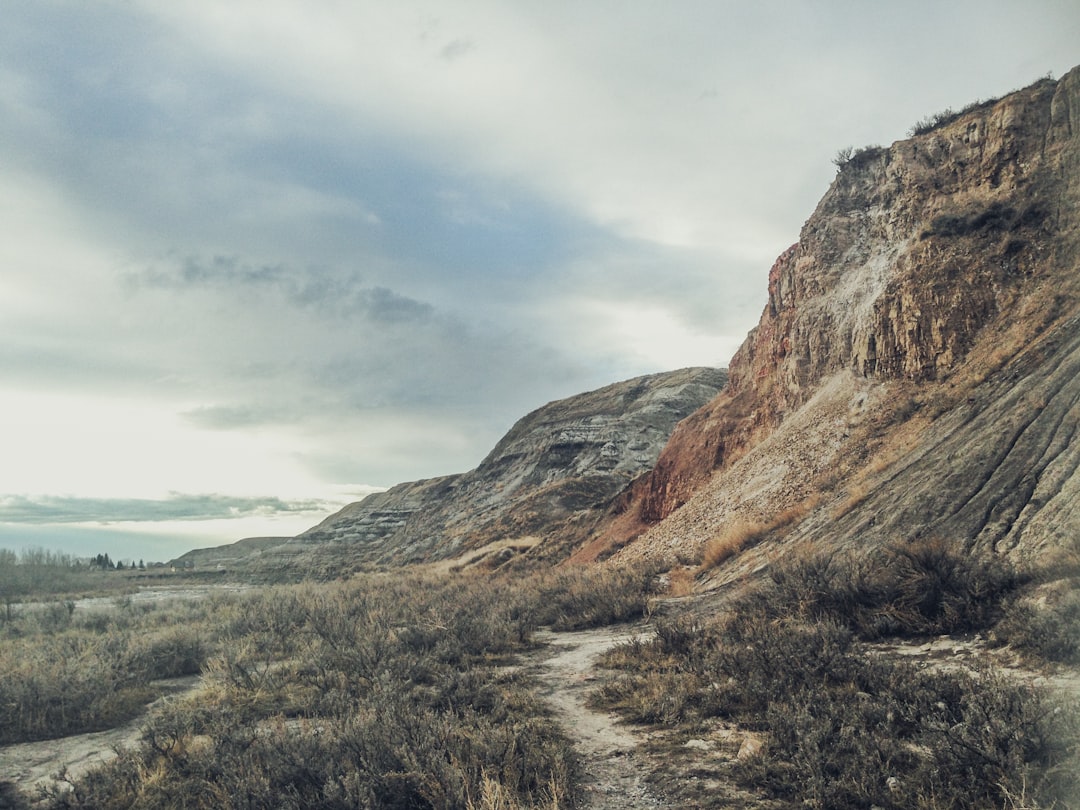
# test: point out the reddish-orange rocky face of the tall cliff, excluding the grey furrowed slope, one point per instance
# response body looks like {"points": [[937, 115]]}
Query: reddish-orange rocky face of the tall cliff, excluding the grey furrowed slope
{"points": [[925, 269]]}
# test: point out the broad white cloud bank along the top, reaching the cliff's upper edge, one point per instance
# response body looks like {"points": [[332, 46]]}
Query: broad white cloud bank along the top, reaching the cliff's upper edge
{"points": [[643, 118]]}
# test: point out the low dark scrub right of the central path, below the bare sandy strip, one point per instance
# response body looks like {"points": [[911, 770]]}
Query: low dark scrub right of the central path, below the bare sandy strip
{"points": [[846, 731]]}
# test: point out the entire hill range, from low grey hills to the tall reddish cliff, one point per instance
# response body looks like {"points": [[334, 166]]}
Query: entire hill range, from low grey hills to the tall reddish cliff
{"points": [[915, 374]]}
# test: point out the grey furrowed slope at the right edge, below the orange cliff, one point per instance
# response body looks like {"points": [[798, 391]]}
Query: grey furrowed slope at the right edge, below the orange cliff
{"points": [[997, 471]]}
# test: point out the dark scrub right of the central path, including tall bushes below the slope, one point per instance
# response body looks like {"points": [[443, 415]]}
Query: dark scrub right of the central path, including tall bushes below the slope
{"points": [[849, 731]]}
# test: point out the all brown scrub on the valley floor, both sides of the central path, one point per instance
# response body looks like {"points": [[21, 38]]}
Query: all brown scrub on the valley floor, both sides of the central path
{"points": [[395, 692]]}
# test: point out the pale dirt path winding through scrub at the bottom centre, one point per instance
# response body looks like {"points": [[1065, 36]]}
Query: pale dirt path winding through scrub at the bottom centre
{"points": [[615, 776]]}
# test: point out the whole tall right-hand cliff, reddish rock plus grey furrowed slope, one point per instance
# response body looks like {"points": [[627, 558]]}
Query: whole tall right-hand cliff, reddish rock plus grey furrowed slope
{"points": [[915, 369]]}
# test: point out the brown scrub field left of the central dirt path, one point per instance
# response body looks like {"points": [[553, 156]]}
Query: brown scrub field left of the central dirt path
{"points": [[386, 692]]}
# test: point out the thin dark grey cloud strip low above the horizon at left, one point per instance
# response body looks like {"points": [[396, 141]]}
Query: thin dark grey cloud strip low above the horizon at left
{"points": [[18, 509]]}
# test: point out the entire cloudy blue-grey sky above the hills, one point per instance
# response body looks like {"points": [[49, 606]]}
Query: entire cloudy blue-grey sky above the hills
{"points": [[262, 259]]}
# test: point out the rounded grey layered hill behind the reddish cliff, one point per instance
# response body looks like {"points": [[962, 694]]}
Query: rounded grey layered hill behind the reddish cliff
{"points": [[541, 491]]}
